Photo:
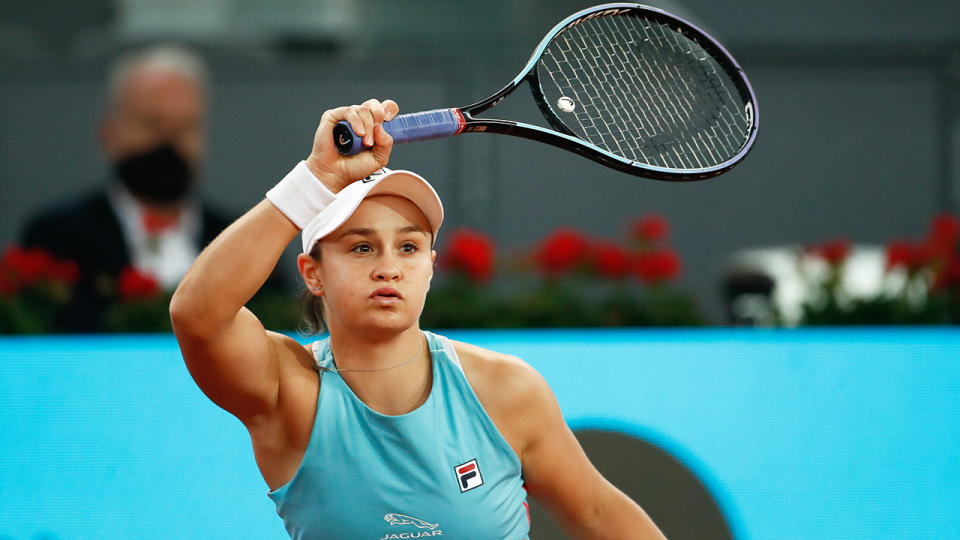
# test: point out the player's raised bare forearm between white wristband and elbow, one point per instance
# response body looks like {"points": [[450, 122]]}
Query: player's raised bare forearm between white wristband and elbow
{"points": [[231, 269]]}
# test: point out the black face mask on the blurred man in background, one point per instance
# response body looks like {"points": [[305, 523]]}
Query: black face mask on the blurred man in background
{"points": [[159, 175]]}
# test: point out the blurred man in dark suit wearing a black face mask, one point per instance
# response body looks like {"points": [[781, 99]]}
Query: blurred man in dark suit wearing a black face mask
{"points": [[149, 216]]}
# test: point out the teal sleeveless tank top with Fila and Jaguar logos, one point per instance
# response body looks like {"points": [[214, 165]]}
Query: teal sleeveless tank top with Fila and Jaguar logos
{"points": [[441, 470]]}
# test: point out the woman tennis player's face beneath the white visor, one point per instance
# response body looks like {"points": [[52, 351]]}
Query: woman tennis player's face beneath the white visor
{"points": [[376, 268]]}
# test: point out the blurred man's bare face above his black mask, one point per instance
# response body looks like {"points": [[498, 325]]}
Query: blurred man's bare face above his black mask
{"points": [[153, 108]]}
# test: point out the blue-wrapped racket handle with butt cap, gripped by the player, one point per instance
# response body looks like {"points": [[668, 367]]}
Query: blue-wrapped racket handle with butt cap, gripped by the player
{"points": [[411, 127]]}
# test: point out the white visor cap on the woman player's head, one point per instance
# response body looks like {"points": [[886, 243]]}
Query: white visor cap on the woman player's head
{"points": [[406, 184]]}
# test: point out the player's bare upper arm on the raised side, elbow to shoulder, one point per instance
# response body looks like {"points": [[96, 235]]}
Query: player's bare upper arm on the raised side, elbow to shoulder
{"points": [[238, 368]]}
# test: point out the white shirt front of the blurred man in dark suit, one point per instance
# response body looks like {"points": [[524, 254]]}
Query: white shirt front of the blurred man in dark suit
{"points": [[167, 254]]}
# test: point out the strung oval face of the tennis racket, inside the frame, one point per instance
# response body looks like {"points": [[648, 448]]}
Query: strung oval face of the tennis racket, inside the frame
{"points": [[633, 74]]}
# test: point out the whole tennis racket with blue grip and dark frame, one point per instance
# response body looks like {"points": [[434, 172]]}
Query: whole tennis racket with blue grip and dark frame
{"points": [[627, 85]]}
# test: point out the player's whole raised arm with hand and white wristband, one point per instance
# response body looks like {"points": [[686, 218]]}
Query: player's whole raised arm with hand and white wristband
{"points": [[232, 358]]}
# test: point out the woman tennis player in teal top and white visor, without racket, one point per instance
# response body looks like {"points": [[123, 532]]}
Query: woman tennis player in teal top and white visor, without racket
{"points": [[382, 430]]}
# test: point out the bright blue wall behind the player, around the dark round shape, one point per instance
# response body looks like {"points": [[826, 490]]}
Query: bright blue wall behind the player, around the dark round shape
{"points": [[797, 434]]}
